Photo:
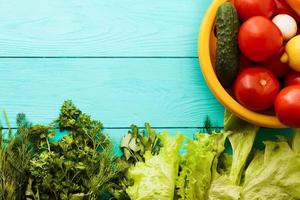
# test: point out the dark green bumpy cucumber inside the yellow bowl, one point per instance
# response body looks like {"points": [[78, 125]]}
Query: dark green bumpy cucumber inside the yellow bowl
{"points": [[227, 55]]}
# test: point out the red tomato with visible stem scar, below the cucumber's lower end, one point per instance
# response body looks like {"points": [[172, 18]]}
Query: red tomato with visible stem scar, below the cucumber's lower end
{"points": [[256, 88]]}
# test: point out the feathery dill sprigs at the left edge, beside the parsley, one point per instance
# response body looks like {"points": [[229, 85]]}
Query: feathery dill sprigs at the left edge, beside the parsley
{"points": [[16, 151]]}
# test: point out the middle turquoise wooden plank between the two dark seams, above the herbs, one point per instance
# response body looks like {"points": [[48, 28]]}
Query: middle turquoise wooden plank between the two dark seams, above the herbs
{"points": [[165, 92]]}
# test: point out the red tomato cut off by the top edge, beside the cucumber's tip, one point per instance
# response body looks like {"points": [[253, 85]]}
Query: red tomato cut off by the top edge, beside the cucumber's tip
{"points": [[250, 8]]}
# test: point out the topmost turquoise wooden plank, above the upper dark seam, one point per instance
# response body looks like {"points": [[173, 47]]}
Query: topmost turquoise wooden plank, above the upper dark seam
{"points": [[100, 28]]}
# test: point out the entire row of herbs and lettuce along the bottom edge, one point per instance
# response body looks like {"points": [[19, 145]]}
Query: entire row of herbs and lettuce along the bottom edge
{"points": [[82, 165]]}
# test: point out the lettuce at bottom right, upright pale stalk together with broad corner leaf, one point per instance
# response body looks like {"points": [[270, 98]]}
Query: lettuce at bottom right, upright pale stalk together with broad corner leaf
{"points": [[272, 174]]}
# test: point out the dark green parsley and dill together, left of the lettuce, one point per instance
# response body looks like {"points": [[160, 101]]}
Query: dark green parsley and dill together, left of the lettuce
{"points": [[34, 165]]}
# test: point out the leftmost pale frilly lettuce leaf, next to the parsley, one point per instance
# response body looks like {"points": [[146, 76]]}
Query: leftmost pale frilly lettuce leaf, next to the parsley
{"points": [[156, 177]]}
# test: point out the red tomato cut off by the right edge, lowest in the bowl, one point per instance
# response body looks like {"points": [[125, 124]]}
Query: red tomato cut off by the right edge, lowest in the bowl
{"points": [[287, 106]]}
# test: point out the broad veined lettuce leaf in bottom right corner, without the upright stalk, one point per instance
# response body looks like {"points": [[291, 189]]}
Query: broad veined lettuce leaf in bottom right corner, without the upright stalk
{"points": [[275, 173]]}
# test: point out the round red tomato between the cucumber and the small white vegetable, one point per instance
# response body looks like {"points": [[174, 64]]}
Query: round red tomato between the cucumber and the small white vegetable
{"points": [[260, 39]]}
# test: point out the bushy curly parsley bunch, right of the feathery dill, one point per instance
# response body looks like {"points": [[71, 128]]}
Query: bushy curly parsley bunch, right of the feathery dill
{"points": [[79, 166]]}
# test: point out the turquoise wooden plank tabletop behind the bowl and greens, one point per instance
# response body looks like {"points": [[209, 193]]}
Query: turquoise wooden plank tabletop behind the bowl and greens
{"points": [[122, 61]]}
